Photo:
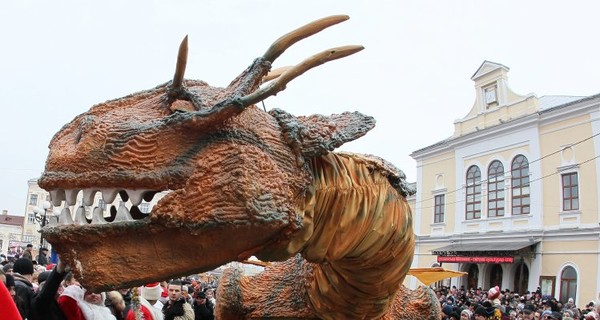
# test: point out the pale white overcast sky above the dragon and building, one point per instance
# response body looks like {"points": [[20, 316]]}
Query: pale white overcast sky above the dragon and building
{"points": [[58, 58]]}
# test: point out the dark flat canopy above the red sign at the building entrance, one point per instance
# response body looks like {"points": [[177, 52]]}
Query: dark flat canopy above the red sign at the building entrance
{"points": [[491, 248]]}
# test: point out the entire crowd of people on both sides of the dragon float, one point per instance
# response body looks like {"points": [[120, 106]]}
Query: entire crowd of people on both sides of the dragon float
{"points": [[35, 289]]}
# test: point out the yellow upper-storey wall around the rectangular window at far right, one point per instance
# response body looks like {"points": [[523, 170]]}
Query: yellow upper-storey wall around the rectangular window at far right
{"points": [[555, 137]]}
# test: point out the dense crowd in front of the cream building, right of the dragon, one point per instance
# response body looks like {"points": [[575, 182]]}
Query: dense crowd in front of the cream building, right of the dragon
{"points": [[497, 304]]}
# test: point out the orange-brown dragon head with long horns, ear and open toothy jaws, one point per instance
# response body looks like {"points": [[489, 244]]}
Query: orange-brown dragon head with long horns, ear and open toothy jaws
{"points": [[236, 174]]}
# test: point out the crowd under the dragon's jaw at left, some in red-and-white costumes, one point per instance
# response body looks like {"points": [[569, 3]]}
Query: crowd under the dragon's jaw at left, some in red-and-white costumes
{"points": [[33, 291]]}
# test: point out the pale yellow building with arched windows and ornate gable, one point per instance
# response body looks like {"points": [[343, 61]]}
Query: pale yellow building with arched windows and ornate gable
{"points": [[512, 196]]}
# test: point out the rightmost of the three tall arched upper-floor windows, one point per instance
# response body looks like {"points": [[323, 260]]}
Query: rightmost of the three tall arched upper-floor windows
{"points": [[520, 185]]}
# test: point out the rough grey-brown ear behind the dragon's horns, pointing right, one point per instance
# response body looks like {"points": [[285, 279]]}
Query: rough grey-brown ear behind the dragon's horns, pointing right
{"points": [[317, 135]]}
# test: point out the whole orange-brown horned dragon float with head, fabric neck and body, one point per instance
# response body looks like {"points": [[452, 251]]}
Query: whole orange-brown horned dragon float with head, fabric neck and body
{"points": [[242, 182]]}
